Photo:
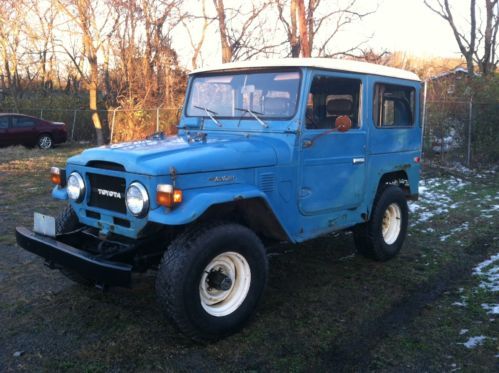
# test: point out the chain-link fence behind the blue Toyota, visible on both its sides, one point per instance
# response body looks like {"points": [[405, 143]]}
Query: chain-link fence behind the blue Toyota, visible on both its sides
{"points": [[455, 132]]}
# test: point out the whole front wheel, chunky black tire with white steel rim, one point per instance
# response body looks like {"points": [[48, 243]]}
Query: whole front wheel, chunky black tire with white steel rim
{"points": [[211, 279]]}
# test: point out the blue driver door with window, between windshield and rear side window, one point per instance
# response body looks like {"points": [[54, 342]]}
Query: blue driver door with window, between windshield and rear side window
{"points": [[333, 163]]}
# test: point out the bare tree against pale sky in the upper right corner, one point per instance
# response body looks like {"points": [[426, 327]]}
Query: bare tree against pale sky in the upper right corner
{"points": [[478, 44]]}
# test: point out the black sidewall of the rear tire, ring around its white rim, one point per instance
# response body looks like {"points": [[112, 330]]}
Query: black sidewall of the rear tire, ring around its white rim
{"points": [[389, 195]]}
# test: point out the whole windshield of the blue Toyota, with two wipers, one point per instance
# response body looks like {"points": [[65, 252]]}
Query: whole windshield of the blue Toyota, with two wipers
{"points": [[261, 94]]}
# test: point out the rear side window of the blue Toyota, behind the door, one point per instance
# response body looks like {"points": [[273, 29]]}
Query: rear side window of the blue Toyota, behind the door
{"points": [[394, 105]]}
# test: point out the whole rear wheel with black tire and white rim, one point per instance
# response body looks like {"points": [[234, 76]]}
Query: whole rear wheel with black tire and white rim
{"points": [[382, 237]]}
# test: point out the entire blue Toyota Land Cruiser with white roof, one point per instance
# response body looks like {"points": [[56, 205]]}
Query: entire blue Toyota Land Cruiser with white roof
{"points": [[267, 151]]}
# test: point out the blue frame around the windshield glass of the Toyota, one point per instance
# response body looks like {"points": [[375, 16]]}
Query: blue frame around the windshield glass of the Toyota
{"points": [[243, 116]]}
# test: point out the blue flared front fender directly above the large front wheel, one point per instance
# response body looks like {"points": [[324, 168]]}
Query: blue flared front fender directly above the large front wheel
{"points": [[196, 202]]}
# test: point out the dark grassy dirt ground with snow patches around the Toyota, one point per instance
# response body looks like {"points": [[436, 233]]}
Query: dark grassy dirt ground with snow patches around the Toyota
{"points": [[433, 308]]}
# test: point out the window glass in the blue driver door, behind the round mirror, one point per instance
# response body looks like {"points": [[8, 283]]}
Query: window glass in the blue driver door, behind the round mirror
{"points": [[330, 98]]}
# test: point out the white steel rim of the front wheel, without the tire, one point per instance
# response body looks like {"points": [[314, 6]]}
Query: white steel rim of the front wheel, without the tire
{"points": [[224, 284]]}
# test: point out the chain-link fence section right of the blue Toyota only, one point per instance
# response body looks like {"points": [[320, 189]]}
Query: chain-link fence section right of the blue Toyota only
{"points": [[461, 132]]}
